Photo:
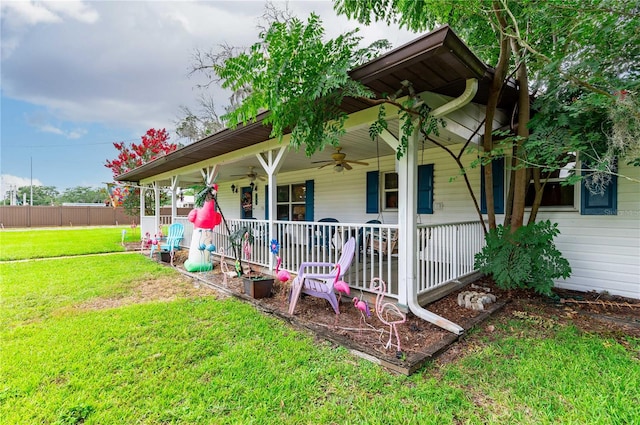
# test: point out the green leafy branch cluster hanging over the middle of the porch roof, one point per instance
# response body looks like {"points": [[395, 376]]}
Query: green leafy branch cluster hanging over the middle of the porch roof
{"points": [[300, 79]]}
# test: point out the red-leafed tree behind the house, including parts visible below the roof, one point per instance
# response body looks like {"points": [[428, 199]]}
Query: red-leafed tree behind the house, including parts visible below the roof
{"points": [[154, 144]]}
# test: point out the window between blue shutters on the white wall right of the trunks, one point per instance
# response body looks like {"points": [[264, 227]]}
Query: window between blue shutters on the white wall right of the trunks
{"points": [[556, 192]]}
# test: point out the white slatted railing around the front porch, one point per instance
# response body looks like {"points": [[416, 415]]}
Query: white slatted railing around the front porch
{"points": [[445, 251]]}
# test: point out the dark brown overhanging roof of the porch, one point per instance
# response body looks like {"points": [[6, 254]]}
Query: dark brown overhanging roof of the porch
{"points": [[437, 62]]}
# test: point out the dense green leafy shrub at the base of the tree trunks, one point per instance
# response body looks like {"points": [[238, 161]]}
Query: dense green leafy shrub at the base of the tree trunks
{"points": [[526, 258]]}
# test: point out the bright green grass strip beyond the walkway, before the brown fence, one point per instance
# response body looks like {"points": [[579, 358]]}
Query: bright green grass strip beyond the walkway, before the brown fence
{"points": [[42, 243]]}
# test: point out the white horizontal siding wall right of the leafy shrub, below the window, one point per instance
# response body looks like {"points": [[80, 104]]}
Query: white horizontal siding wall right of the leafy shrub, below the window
{"points": [[603, 250]]}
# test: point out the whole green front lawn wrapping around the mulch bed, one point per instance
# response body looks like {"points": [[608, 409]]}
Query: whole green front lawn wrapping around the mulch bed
{"points": [[79, 345]]}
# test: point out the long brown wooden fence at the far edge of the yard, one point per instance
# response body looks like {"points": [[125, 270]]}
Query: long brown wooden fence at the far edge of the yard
{"points": [[45, 216]]}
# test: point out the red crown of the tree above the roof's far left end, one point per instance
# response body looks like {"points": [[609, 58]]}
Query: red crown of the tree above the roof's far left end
{"points": [[154, 144]]}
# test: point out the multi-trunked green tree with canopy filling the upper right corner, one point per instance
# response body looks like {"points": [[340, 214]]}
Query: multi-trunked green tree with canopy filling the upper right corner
{"points": [[589, 48]]}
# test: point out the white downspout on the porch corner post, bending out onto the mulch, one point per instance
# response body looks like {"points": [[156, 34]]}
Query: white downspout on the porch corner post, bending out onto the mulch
{"points": [[412, 293]]}
